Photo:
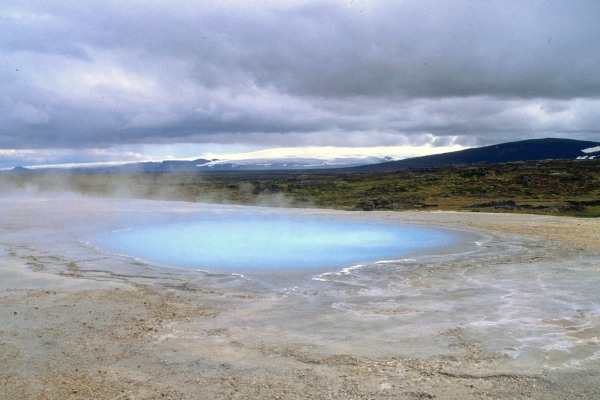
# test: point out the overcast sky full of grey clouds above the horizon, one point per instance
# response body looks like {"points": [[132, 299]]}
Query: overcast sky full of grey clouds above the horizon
{"points": [[110, 81]]}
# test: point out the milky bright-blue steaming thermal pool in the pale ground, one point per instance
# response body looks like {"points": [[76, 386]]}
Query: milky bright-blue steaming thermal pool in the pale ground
{"points": [[234, 243]]}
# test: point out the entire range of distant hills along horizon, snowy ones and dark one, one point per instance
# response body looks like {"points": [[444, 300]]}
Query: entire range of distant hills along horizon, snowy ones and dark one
{"points": [[525, 150]]}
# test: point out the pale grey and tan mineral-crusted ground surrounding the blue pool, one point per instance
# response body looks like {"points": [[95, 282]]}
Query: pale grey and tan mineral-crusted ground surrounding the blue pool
{"points": [[515, 316]]}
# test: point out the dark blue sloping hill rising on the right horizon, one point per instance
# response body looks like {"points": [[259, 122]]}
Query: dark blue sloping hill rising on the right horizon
{"points": [[524, 150]]}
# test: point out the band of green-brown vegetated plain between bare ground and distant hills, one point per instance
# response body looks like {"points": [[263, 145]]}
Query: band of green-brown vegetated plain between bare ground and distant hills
{"points": [[548, 187]]}
